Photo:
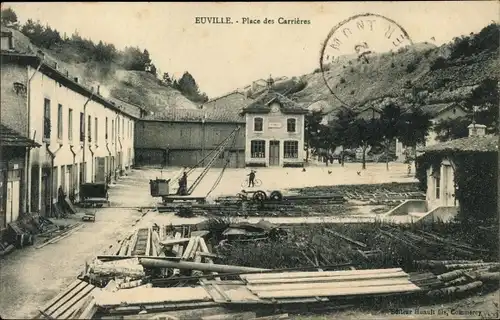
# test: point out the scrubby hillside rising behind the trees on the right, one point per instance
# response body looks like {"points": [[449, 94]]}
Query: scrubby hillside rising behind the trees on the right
{"points": [[422, 72]]}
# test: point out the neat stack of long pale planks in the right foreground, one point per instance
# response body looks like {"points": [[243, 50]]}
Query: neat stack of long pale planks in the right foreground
{"points": [[329, 283]]}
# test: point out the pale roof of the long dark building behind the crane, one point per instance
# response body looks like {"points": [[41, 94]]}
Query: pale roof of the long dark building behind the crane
{"points": [[197, 115]]}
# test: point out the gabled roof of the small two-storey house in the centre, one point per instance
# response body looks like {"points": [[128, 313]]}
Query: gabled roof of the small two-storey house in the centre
{"points": [[263, 104]]}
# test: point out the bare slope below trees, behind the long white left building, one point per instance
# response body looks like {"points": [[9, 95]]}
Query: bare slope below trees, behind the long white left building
{"points": [[136, 87]]}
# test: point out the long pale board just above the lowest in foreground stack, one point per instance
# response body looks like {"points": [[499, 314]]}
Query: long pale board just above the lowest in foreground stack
{"points": [[339, 284]]}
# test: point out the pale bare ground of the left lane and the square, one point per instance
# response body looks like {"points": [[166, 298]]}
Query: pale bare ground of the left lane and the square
{"points": [[30, 277]]}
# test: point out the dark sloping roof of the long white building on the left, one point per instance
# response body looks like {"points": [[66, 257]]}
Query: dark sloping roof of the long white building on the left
{"points": [[57, 75]]}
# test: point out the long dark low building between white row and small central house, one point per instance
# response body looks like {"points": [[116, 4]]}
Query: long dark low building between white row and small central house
{"points": [[185, 137]]}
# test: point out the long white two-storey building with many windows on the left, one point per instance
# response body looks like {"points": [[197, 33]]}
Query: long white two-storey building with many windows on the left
{"points": [[84, 137]]}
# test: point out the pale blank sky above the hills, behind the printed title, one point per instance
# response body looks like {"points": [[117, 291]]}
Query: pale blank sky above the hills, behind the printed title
{"points": [[224, 57]]}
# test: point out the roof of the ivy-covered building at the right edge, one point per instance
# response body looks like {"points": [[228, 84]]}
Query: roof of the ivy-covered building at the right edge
{"points": [[487, 143]]}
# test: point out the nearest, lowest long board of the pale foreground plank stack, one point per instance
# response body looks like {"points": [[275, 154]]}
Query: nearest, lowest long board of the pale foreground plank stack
{"points": [[336, 292]]}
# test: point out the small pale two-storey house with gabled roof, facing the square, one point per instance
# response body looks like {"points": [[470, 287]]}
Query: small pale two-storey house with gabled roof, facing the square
{"points": [[274, 131]]}
